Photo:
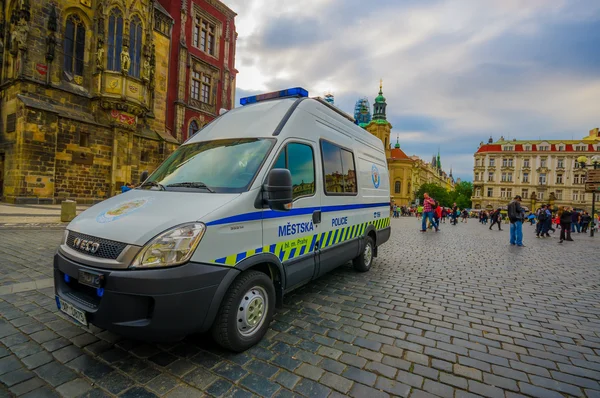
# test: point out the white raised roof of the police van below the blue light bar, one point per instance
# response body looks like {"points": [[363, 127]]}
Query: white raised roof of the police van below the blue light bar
{"points": [[263, 118]]}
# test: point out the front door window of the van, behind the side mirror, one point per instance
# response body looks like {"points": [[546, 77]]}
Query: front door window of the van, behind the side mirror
{"points": [[300, 161]]}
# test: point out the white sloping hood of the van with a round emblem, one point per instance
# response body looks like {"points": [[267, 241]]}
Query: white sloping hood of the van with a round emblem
{"points": [[137, 216]]}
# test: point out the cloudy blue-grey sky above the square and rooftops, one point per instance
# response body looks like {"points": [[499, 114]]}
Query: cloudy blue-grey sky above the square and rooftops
{"points": [[454, 71]]}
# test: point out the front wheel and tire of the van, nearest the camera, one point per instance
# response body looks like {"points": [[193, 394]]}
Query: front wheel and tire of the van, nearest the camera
{"points": [[241, 321]]}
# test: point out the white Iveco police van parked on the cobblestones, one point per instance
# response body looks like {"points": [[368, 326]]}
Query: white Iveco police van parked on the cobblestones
{"points": [[266, 198]]}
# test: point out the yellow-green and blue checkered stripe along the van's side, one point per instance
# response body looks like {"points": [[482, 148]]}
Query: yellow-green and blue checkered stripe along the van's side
{"points": [[297, 247]]}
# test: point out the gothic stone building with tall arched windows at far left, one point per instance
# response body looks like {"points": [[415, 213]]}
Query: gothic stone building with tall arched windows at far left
{"points": [[83, 97]]}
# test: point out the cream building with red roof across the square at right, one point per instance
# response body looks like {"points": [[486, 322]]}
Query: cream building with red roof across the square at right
{"points": [[541, 171]]}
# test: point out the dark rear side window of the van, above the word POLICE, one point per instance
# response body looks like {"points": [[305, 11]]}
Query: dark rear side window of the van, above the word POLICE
{"points": [[339, 170]]}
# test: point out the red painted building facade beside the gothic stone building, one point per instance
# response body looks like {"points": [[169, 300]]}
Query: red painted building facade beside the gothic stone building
{"points": [[202, 72]]}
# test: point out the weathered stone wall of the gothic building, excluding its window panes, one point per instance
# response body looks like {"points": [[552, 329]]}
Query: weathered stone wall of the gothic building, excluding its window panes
{"points": [[65, 142]]}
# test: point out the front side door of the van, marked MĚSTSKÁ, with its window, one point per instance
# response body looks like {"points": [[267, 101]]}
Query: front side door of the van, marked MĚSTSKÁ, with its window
{"points": [[291, 235]]}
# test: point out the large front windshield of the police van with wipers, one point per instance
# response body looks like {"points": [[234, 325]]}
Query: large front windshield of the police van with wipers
{"points": [[226, 166]]}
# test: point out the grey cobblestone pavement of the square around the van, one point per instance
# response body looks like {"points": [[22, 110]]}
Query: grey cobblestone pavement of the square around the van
{"points": [[458, 313]]}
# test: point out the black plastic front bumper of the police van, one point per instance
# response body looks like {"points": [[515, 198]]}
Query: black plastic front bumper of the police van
{"points": [[156, 305]]}
